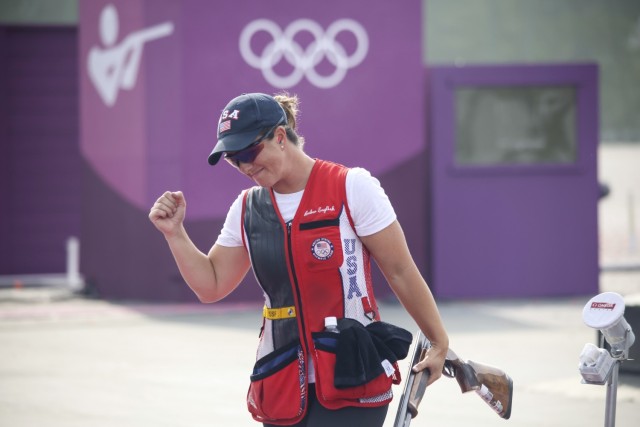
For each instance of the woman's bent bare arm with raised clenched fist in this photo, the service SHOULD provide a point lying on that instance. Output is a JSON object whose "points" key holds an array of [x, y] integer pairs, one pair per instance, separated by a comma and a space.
{"points": [[211, 276]]}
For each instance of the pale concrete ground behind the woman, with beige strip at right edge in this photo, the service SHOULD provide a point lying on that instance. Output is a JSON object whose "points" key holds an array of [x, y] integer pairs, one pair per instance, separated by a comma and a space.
{"points": [[70, 361]]}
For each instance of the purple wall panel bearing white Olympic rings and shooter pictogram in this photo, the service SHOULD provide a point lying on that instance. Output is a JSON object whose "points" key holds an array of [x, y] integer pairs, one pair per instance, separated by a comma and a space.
{"points": [[155, 131]]}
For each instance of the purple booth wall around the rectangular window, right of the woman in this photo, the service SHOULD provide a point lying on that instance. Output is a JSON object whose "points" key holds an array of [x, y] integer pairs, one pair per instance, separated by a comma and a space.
{"points": [[514, 230]]}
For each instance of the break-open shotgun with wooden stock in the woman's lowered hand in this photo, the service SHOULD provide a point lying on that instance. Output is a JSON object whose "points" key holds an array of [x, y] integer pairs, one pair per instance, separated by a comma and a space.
{"points": [[493, 385]]}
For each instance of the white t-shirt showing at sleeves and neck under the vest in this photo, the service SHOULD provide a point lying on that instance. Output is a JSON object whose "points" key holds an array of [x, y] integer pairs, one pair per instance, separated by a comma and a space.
{"points": [[370, 208]]}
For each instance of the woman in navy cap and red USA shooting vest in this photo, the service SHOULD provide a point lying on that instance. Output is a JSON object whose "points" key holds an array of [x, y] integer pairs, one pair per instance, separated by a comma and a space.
{"points": [[307, 230]]}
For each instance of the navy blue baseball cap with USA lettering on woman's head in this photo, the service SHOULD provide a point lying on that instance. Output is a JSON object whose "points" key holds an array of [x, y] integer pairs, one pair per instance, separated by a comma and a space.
{"points": [[243, 119]]}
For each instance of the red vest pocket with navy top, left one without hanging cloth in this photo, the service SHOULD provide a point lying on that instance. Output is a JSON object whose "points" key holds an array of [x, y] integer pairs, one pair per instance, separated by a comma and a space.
{"points": [[278, 385]]}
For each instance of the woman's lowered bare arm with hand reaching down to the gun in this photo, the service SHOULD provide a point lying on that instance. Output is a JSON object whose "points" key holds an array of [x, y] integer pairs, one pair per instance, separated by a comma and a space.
{"points": [[389, 248]]}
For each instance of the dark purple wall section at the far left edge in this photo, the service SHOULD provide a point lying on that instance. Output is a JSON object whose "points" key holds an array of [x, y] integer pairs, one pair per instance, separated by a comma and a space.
{"points": [[40, 162]]}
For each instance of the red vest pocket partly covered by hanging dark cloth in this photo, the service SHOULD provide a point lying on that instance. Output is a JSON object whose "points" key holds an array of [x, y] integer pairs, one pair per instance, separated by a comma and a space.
{"points": [[325, 344]]}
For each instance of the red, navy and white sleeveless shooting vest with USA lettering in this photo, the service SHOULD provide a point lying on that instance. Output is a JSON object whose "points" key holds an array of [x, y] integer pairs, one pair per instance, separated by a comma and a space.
{"points": [[315, 266]]}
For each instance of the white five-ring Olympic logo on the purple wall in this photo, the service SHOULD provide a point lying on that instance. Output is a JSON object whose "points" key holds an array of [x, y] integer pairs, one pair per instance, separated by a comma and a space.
{"points": [[304, 60]]}
